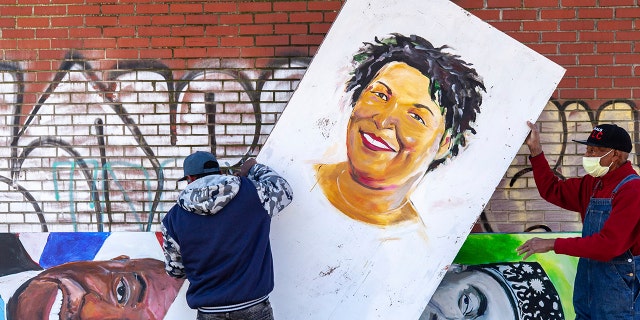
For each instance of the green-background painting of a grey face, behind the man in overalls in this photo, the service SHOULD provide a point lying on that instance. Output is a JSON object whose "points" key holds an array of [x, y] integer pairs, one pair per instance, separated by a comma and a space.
{"points": [[488, 280]]}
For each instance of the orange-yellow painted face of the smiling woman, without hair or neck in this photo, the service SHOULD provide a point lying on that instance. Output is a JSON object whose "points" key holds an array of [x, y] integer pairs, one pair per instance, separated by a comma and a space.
{"points": [[395, 128]]}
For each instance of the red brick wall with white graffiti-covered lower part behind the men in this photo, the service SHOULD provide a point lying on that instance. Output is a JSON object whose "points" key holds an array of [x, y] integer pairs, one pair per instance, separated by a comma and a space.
{"points": [[100, 101]]}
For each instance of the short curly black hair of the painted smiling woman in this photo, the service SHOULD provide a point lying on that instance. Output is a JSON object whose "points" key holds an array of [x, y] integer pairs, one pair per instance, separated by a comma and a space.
{"points": [[453, 83]]}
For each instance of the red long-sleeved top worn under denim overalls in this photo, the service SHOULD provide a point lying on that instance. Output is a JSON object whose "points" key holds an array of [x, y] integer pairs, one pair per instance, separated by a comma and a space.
{"points": [[620, 232]]}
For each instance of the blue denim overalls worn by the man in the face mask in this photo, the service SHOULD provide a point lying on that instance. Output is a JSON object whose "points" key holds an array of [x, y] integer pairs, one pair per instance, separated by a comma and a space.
{"points": [[606, 290]]}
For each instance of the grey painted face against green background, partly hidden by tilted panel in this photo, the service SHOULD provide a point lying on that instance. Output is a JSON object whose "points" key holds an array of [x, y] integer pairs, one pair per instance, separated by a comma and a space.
{"points": [[469, 295]]}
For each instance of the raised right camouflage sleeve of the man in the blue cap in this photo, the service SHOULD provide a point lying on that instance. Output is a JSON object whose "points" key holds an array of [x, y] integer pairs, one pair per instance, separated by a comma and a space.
{"points": [[274, 191]]}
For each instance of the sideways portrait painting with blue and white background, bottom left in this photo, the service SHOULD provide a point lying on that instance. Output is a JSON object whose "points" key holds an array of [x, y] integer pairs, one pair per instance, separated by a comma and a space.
{"points": [[87, 276]]}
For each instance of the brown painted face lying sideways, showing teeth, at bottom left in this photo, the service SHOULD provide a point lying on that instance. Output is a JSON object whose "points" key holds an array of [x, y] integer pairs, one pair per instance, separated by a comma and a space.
{"points": [[121, 288]]}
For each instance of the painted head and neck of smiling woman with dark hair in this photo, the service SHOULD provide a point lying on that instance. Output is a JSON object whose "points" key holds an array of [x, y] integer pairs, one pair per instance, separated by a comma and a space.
{"points": [[413, 107]]}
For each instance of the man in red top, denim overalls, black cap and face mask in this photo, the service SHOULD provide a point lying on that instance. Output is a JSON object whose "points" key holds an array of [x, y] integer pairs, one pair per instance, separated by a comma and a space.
{"points": [[608, 199]]}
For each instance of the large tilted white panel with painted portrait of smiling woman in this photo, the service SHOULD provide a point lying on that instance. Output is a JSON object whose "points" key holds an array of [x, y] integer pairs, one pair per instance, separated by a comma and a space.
{"points": [[395, 139]]}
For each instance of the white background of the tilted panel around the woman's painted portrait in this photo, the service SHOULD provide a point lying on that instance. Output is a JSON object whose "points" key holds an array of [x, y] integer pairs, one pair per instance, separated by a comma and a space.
{"points": [[331, 266]]}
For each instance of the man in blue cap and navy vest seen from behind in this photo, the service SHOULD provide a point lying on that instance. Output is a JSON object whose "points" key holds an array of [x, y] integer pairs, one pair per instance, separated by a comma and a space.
{"points": [[217, 236]]}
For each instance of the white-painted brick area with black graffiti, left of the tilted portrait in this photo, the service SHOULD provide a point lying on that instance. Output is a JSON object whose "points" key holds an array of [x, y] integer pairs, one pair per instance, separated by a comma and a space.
{"points": [[103, 152]]}
